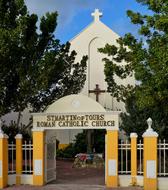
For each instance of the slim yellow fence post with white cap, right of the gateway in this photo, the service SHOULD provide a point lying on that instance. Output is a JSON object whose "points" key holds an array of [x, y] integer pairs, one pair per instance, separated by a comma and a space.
{"points": [[133, 158]]}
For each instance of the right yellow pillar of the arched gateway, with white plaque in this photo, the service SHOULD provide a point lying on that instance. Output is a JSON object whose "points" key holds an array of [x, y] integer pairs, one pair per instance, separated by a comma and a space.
{"points": [[112, 158]]}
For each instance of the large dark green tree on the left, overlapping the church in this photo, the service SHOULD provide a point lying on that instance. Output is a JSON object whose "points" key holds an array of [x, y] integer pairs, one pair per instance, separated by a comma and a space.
{"points": [[35, 69]]}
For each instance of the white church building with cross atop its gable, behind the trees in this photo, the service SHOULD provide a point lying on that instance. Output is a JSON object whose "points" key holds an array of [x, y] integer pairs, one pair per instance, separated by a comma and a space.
{"points": [[95, 35]]}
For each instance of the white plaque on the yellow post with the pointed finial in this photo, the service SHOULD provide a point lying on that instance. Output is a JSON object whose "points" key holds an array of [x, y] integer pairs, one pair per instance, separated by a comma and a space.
{"points": [[151, 169]]}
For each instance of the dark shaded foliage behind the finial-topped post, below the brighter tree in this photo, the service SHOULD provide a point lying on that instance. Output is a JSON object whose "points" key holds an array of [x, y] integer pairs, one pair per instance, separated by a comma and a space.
{"points": [[135, 118]]}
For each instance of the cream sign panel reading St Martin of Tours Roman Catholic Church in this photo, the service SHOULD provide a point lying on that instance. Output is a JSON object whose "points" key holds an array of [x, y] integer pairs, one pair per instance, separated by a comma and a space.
{"points": [[105, 120]]}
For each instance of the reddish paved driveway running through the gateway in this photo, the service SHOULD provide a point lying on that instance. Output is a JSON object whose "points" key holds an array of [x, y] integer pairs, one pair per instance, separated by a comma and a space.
{"points": [[69, 178]]}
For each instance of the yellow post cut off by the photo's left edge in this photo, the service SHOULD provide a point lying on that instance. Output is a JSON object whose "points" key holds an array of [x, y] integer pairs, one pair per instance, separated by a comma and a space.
{"points": [[3, 158]]}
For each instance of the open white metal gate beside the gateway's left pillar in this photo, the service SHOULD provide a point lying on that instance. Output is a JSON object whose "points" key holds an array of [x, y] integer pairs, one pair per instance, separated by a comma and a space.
{"points": [[50, 162]]}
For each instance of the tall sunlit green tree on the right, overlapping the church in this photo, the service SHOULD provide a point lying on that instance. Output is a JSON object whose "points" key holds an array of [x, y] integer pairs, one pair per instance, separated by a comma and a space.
{"points": [[147, 59]]}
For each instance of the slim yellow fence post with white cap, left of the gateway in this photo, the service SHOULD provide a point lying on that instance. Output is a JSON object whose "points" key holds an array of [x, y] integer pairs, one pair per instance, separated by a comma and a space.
{"points": [[19, 159]]}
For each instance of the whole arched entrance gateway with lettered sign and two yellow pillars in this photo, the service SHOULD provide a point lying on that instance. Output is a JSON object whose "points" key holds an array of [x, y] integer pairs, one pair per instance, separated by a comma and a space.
{"points": [[74, 112]]}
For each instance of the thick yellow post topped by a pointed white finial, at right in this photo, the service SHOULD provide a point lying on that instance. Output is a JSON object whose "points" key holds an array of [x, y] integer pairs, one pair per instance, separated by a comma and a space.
{"points": [[150, 158]]}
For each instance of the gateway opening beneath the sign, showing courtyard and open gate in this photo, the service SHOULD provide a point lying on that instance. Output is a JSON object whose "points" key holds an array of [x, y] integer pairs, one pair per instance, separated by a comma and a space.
{"points": [[73, 165]]}
